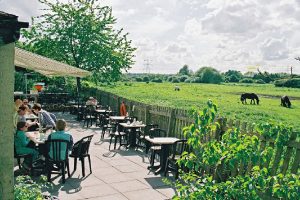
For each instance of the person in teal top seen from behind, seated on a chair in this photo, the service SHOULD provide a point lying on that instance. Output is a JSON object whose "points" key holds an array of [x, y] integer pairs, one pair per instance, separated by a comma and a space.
{"points": [[61, 134]]}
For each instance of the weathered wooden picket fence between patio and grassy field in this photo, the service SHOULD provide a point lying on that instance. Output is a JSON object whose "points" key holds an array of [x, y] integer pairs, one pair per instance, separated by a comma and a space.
{"points": [[284, 158]]}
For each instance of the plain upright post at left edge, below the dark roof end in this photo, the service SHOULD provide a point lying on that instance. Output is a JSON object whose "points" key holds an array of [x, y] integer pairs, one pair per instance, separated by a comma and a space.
{"points": [[7, 53]]}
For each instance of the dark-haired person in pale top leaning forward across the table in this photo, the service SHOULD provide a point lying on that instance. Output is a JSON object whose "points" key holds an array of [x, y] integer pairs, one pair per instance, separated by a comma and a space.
{"points": [[45, 118]]}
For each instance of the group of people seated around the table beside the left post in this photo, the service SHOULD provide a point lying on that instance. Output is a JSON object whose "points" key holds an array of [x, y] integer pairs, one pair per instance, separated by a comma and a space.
{"points": [[35, 119]]}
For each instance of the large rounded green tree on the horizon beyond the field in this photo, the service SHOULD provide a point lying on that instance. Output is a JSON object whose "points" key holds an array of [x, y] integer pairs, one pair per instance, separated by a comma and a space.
{"points": [[209, 75]]}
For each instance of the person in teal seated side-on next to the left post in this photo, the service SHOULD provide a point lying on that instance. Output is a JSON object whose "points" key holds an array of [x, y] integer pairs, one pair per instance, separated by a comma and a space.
{"points": [[24, 145]]}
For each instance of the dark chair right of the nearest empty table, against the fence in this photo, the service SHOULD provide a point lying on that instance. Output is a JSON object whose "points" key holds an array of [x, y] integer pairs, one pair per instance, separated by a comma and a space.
{"points": [[177, 149]]}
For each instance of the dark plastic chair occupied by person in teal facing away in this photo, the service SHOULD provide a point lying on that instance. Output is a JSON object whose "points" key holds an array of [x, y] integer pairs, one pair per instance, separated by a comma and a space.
{"points": [[57, 155]]}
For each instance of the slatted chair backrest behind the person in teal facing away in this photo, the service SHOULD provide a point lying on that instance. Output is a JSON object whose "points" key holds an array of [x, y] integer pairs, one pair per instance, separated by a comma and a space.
{"points": [[57, 149]]}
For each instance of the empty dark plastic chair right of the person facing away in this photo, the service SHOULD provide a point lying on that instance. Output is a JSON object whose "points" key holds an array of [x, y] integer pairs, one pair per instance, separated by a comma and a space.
{"points": [[80, 150]]}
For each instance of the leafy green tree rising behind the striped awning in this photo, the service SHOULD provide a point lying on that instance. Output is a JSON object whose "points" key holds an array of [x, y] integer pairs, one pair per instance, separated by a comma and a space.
{"points": [[81, 34]]}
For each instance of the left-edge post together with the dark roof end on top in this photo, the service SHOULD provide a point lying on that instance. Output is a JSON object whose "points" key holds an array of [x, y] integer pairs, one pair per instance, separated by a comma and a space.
{"points": [[9, 33]]}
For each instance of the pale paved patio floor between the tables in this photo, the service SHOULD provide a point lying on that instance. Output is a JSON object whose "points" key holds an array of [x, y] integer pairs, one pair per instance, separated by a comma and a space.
{"points": [[118, 175]]}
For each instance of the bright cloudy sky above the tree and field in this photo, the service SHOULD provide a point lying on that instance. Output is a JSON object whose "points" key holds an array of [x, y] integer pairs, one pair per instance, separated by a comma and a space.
{"points": [[225, 34]]}
